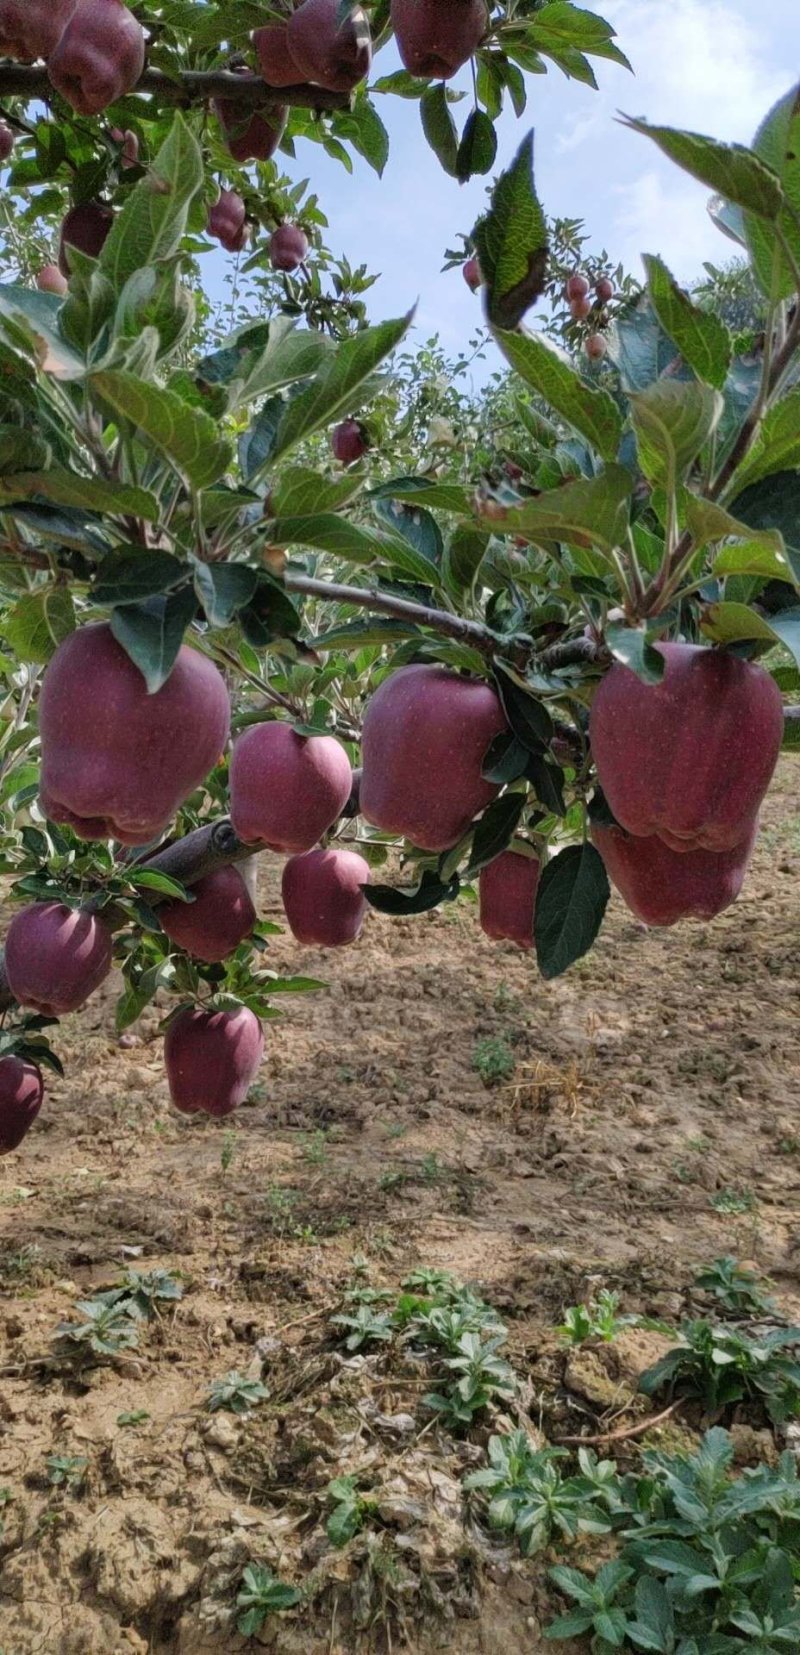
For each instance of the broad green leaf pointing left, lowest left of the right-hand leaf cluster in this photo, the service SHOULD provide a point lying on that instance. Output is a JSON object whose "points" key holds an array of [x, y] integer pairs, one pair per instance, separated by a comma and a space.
{"points": [[587, 511]]}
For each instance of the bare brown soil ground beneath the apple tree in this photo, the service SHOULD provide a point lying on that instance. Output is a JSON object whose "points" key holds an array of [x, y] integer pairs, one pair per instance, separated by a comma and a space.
{"points": [[652, 1125]]}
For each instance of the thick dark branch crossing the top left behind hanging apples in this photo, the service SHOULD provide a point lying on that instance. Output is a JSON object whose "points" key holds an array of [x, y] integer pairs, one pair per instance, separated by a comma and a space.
{"points": [[195, 87]]}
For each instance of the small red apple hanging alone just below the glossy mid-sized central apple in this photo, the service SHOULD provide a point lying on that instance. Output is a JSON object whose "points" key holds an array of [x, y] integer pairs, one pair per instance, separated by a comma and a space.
{"points": [[324, 896]]}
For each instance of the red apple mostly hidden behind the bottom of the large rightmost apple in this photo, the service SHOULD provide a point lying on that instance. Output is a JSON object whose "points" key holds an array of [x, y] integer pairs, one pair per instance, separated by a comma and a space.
{"points": [[665, 886]]}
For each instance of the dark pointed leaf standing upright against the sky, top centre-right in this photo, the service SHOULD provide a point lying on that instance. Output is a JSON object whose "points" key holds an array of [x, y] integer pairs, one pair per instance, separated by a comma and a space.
{"points": [[511, 242]]}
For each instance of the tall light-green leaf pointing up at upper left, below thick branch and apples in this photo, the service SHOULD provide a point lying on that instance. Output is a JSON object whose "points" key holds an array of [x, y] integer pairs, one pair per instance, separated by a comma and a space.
{"points": [[153, 223]]}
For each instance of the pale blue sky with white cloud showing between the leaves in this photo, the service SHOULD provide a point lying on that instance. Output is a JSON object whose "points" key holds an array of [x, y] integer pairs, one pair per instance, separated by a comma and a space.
{"points": [[708, 65]]}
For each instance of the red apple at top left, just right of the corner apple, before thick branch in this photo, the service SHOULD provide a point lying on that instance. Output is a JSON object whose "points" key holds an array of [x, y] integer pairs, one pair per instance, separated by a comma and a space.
{"points": [[100, 55]]}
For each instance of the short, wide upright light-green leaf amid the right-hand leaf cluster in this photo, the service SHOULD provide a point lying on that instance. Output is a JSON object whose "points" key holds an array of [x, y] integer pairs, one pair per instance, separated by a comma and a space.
{"points": [[673, 421]]}
